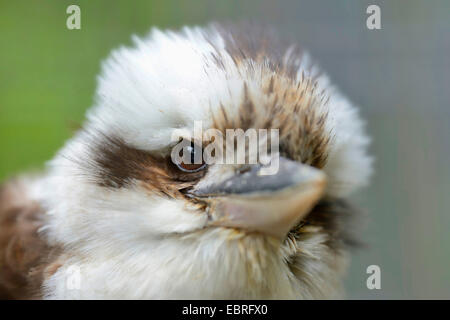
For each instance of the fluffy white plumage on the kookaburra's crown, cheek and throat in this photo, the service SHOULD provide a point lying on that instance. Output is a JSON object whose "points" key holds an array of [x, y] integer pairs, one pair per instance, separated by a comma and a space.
{"points": [[128, 244]]}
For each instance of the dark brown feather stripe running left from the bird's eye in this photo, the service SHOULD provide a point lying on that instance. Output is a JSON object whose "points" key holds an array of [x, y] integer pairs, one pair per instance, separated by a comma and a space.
{"points": [[112, 163]]}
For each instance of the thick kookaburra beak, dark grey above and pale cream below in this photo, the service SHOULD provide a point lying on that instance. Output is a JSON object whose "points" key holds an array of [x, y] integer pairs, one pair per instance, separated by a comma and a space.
{"points": [[270, 204]]}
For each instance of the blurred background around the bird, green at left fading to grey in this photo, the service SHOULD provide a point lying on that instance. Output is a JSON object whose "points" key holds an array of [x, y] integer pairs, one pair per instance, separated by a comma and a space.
{"points": [[399, 75]]}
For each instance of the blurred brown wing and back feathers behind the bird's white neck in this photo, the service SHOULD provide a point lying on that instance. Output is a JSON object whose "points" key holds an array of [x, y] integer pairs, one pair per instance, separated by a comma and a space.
{"points": [[24, 255]]}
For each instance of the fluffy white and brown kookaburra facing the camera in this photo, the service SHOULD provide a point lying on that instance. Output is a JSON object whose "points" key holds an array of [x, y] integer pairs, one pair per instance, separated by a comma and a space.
{"points": [[113, 217]]}
